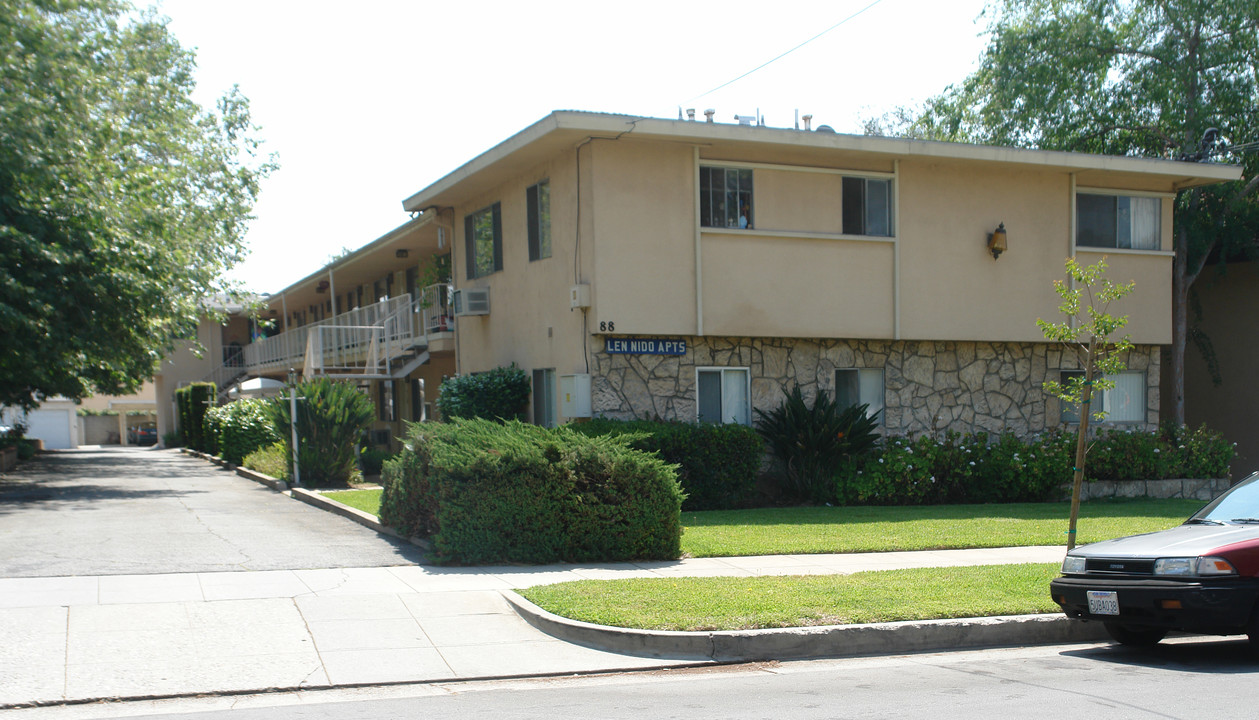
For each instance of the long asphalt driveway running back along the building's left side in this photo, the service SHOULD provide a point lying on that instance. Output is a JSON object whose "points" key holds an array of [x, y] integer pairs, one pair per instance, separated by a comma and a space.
{"points": [[121, 512]]}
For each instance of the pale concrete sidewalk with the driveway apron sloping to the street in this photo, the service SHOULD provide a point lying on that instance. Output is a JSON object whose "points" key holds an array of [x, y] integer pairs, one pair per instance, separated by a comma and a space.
{"points": [[79, 639]]}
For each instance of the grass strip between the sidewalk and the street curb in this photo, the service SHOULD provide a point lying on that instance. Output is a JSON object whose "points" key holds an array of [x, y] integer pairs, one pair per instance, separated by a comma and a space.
{"points": [[796, 601]]}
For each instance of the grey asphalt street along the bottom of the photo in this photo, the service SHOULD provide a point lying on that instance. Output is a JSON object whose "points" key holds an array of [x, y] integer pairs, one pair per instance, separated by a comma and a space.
{"points": [[1184, 679]]}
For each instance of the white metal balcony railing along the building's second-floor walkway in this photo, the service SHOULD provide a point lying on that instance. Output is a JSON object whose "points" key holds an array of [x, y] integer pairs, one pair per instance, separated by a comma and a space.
{"points": [[363, 340]]}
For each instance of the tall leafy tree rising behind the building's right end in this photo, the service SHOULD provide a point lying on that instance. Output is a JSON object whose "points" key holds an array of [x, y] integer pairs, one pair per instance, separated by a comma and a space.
{"points": [[1124, 77]]}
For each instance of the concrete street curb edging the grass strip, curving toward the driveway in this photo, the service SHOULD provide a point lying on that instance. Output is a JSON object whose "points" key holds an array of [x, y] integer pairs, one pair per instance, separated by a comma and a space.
{"points": [[814, 643]]}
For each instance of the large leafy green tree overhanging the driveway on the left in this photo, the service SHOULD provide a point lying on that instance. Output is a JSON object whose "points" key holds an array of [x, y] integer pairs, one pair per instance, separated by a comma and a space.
{"points": [[123, 201]]}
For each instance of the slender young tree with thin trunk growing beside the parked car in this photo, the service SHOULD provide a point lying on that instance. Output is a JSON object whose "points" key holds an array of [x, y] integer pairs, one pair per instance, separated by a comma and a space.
{"points": [[1087, 333]]}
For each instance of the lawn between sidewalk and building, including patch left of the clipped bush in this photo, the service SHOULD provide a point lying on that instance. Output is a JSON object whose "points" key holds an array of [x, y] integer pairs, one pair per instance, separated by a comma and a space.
{"points": [[809, 531]]}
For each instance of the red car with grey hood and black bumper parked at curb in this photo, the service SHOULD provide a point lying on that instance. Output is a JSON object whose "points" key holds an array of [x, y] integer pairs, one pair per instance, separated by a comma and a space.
{"points": [[1200, 577]]}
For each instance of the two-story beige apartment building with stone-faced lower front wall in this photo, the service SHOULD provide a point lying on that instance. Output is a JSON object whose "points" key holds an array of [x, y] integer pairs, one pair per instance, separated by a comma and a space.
{"points": [[692, 271]]}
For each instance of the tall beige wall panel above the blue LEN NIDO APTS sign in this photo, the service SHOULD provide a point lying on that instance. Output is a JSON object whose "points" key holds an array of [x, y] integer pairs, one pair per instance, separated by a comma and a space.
{"points": [[644, 239]]}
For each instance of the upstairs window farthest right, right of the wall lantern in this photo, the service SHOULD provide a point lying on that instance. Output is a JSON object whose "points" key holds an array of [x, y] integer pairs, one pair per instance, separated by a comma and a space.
{"points": [[1119, 222]]}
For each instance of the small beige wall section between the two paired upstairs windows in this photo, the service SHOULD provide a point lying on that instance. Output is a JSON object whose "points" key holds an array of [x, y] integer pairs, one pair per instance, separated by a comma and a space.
{"points": [[798, 202]]}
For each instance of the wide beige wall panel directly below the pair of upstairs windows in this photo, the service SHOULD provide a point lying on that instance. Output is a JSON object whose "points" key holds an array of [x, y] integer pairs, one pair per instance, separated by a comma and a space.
{"points": [[784, 288]]}
